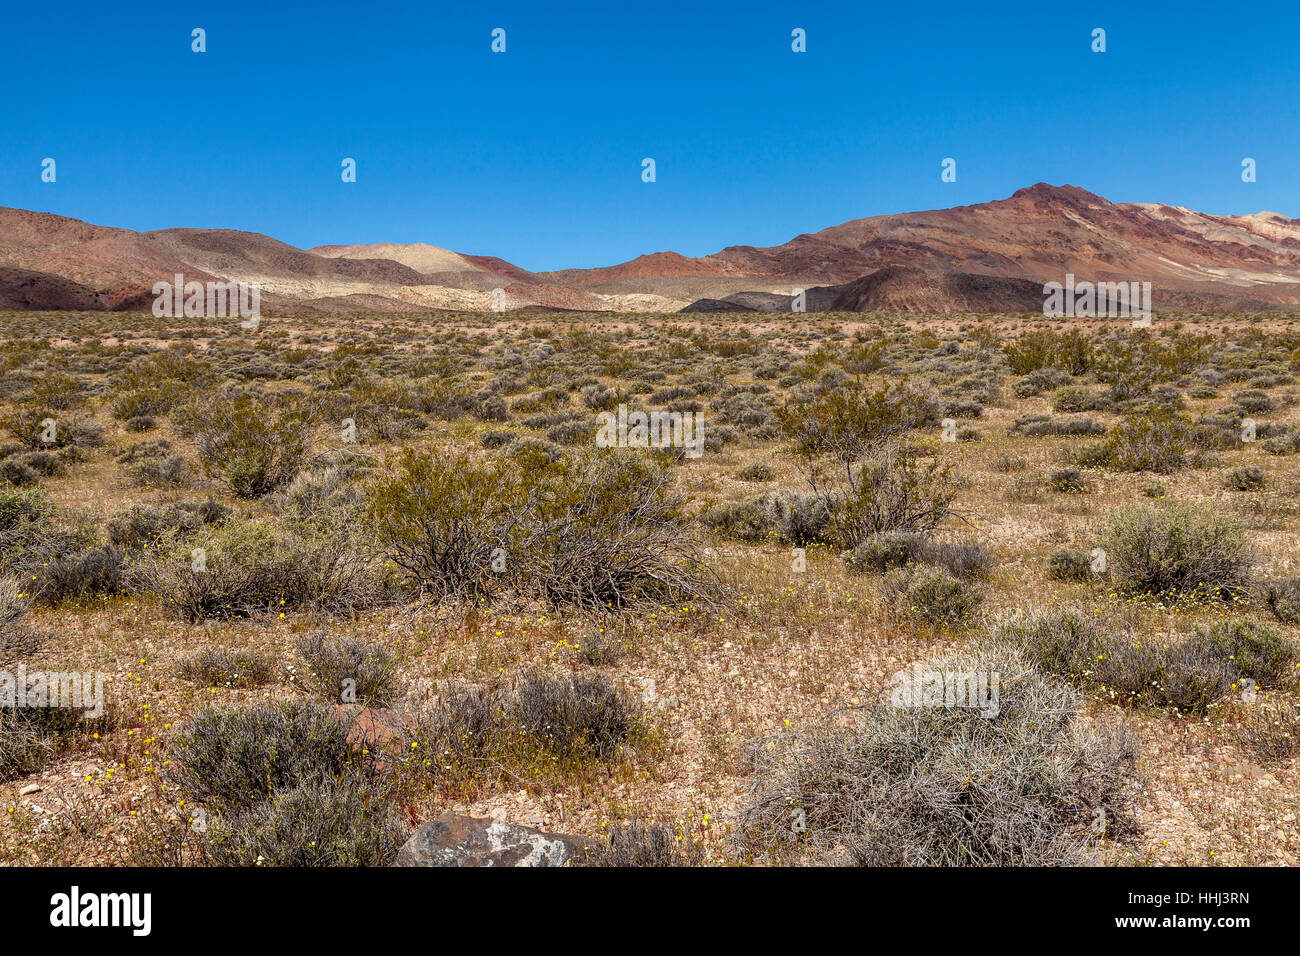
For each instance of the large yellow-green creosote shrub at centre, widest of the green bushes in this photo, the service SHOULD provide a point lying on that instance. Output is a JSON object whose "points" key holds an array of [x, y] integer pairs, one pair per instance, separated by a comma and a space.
{"points": [[597, 531]]}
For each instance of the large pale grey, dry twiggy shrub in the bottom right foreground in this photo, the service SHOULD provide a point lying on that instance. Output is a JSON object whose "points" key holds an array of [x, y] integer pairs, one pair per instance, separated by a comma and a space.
{"points": [[898, 789]]}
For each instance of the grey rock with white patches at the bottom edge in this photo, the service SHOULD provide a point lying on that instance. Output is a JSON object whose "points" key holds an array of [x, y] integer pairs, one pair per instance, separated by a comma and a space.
{"points": [[458, 841]]}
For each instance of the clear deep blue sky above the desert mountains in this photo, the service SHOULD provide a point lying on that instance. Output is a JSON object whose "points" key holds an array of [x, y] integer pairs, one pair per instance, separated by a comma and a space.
{"points": [[535, 155]]}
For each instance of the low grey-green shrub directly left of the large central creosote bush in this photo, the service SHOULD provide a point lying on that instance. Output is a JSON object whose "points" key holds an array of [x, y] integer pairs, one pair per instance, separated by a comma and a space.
{"points": [[250, 568]]}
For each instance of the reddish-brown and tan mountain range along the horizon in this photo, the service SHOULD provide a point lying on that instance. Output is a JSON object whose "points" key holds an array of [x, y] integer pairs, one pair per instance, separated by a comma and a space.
{"points": [[969, 258]]}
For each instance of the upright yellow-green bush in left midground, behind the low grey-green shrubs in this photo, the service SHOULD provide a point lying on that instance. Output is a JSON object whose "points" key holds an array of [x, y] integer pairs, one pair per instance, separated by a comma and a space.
{"points": [[255, 444]]}
